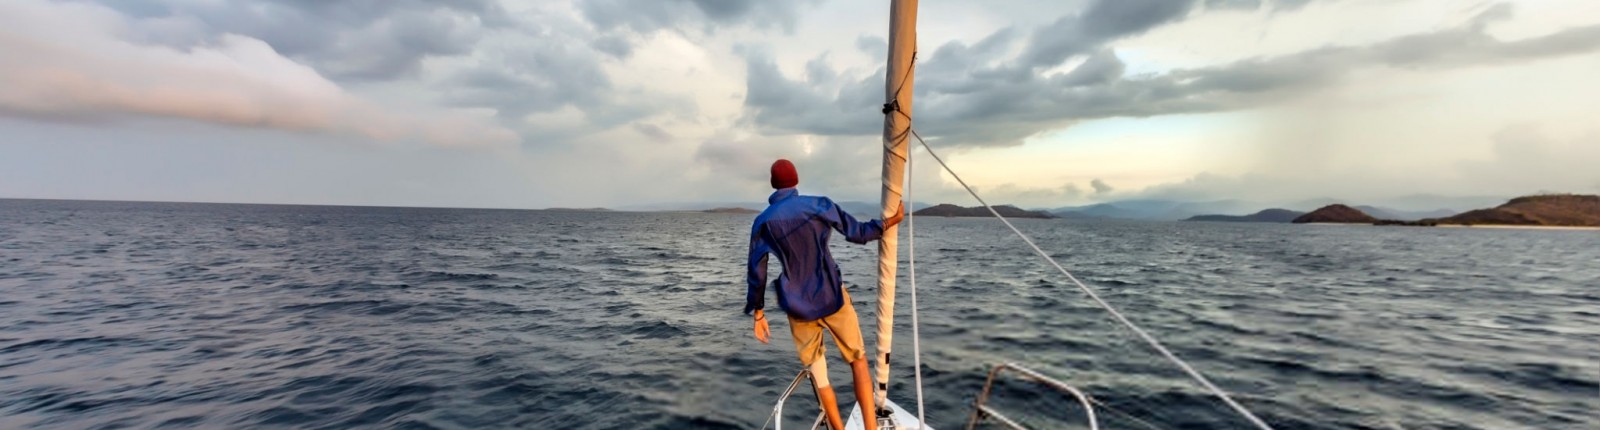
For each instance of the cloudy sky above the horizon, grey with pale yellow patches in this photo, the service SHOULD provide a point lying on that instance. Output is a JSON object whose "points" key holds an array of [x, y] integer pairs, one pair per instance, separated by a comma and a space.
{"points": [[631, 103]]}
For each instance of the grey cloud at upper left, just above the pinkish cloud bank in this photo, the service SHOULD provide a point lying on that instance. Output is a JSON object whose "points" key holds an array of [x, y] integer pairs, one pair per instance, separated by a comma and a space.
{"points": [[346, 41]]}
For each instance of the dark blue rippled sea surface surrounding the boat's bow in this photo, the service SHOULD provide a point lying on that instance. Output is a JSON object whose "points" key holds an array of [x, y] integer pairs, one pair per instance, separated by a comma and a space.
{"points": [[239, 316]]}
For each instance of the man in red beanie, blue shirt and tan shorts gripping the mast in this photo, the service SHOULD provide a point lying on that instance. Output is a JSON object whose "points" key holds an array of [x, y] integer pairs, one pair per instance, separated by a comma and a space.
{"points": [[810, 292]]}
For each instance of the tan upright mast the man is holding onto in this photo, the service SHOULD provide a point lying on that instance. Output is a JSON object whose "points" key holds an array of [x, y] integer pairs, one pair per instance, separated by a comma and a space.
{"points": [[897, 133]]}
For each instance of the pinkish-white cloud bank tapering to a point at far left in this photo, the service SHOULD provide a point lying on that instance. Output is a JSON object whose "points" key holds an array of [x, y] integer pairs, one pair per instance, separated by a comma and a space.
{"points": [[74, 62]]}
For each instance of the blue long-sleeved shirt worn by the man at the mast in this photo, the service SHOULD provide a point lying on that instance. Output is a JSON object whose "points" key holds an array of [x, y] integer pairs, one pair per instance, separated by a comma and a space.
{"points": [[796, 228]]}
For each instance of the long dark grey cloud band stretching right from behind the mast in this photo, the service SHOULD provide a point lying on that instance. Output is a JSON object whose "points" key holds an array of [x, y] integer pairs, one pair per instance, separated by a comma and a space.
{"points": [[975, 95]]}
